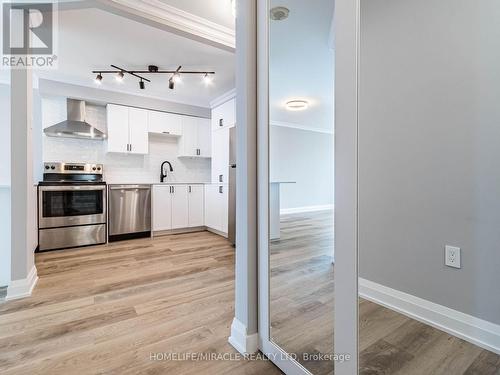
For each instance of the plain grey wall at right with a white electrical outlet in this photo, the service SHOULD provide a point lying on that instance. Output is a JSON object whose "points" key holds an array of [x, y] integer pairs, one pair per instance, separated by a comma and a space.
{"points": [[429, 149]]}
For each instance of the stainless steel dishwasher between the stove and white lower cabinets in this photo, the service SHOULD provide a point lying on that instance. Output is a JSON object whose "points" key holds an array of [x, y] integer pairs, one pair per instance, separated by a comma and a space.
{"points": [[129, 212]]}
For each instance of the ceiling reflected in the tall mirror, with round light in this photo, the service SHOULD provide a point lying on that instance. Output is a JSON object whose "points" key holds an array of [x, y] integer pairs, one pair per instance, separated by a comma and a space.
{"points": [[302, 63]]}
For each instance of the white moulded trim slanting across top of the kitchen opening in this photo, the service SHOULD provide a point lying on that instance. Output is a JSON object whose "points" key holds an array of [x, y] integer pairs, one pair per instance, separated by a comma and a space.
{"points": [[181, 20]]}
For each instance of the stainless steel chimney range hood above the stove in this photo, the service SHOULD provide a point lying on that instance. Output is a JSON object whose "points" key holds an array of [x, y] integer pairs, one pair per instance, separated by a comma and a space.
{"points": [[75, 126]]}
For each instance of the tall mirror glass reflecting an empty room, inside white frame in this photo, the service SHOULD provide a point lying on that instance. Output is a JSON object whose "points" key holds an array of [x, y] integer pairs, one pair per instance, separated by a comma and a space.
{"points": [[301, 181]]}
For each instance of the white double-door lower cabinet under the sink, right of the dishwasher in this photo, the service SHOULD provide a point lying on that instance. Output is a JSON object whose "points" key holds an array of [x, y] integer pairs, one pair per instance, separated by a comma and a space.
{"points": [[177, 207]]}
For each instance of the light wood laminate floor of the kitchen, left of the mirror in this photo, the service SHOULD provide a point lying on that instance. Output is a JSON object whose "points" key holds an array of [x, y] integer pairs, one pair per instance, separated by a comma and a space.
{"points": [[105, 309]]}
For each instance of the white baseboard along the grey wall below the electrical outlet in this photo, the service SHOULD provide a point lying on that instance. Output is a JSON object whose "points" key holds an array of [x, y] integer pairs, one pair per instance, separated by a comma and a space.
{"points": [[475, 330]]}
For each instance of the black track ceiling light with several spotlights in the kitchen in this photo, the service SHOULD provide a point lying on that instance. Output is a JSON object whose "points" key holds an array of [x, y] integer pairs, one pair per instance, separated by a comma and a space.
{"points": [[175, 75]]}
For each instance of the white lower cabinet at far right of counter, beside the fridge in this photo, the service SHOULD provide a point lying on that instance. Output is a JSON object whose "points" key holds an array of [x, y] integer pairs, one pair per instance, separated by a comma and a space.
{"points": [[216, 207]]}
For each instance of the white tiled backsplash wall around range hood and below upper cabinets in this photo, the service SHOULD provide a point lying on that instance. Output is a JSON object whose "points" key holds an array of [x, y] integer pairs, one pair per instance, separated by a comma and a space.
{"points": [[119, 168]]}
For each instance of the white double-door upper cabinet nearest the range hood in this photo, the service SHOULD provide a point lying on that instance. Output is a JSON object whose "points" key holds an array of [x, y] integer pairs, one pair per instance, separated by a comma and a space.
{"points": [[127, 129]]}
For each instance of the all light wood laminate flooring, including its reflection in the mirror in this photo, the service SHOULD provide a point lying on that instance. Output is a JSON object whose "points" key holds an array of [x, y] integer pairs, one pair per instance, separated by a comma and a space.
{"points": [[105, 309]]}
